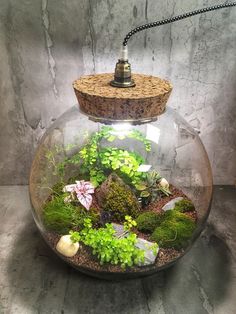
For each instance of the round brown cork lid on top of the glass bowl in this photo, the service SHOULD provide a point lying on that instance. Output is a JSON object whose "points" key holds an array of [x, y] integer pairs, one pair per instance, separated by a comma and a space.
{"points": [[98, 99]]}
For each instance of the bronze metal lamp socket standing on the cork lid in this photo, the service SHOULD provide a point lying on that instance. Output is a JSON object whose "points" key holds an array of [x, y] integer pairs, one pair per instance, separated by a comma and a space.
{"points": [[122, 77]]}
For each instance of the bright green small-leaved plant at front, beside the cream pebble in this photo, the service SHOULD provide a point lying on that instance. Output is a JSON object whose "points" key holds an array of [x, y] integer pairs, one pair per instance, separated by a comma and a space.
{"points": [[108, 248]]}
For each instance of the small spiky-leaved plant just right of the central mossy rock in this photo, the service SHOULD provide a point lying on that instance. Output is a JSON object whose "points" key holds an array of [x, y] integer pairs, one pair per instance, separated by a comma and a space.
{"points": [[150, 190]]}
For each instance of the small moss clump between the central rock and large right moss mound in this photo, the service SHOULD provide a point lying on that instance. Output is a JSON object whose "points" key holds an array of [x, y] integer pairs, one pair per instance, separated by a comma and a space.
{"points": [[148, 221]]}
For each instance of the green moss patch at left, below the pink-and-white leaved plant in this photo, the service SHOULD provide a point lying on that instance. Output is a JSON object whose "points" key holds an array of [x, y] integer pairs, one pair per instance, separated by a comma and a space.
{"points": [[62, 217]]}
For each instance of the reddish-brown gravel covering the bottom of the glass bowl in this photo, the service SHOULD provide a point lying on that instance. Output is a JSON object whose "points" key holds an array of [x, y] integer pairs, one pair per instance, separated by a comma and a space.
{"points": [[85, 262]]}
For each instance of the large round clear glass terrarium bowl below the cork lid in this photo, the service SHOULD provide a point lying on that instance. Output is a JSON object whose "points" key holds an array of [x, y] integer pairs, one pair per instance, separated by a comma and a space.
{"points": [[112, 187]]}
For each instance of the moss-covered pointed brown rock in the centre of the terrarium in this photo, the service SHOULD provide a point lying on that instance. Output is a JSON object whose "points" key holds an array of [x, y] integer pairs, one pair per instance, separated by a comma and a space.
{"points": [[120, 202]]}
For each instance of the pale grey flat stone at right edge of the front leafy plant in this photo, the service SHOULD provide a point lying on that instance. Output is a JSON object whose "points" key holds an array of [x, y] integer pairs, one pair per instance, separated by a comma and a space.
{"points": [[150, 253]]}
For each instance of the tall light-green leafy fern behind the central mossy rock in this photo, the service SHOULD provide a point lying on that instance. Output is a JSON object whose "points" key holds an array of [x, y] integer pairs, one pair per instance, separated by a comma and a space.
{"points": [[98, 163]]}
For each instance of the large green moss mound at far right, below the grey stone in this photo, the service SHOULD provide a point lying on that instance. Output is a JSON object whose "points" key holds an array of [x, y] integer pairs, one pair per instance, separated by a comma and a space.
{"points": [[175, 230]]}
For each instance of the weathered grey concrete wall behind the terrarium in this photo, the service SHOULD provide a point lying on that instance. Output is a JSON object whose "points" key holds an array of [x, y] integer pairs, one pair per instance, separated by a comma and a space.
{"points": [[45, 45]]}
